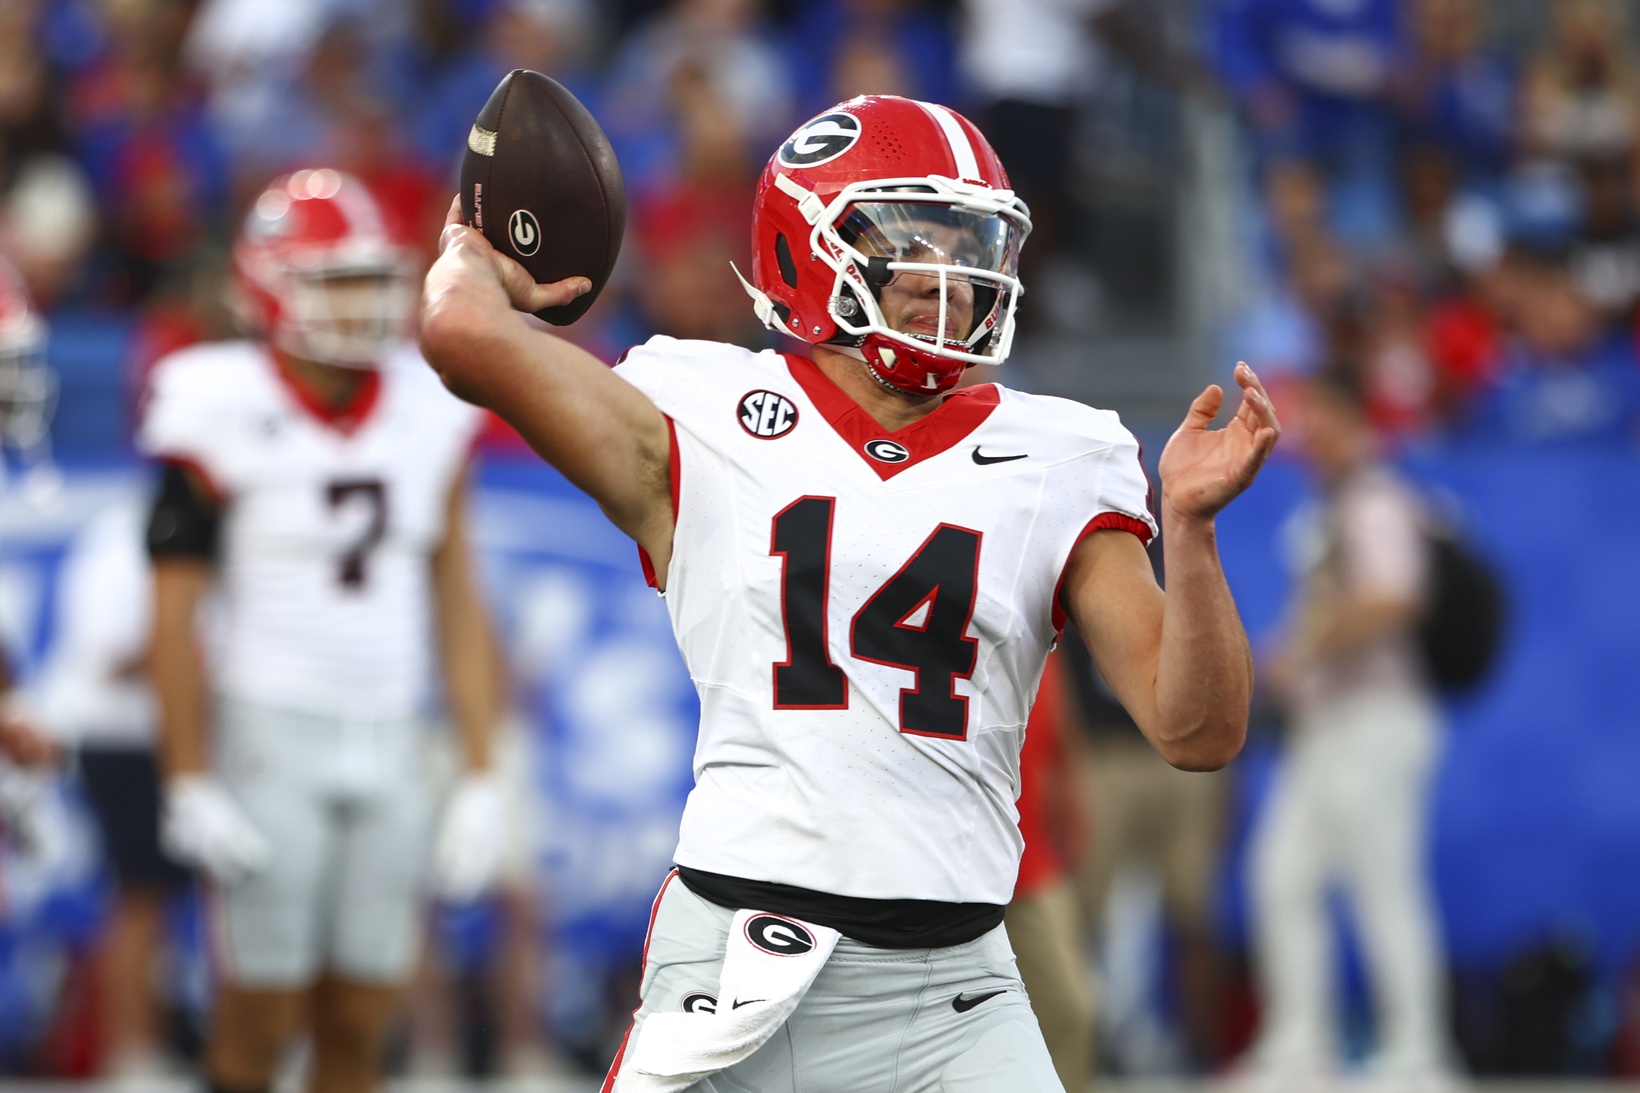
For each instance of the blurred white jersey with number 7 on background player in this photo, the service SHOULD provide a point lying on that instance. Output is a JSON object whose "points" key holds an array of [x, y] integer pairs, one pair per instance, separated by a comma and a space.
{"points": [[329, 524]]}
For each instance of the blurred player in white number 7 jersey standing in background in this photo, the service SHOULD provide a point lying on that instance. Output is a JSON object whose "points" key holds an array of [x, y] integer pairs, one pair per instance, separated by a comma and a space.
{"points": [[316, 480]]}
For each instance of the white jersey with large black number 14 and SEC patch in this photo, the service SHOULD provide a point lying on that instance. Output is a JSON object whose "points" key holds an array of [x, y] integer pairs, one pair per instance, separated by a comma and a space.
{"points": [[867, 615]]}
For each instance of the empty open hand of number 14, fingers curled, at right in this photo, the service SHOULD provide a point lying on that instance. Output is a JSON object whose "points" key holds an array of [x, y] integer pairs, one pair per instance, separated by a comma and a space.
{"points": [[1205, 469]]}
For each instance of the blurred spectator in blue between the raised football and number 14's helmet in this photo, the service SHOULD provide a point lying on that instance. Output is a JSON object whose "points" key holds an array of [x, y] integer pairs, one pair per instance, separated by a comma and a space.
{"points": [[695, 52]]}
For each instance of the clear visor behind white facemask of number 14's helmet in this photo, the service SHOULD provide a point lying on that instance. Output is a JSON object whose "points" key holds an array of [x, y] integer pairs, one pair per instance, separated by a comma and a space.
{"points": [[939, 272]]}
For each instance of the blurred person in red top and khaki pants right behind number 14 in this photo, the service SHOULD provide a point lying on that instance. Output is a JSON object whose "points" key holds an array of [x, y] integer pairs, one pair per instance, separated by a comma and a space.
{"points": [[1044, 922]]}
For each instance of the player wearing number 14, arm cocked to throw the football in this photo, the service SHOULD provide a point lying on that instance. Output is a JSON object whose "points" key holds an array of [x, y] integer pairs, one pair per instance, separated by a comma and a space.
{"points": [[865, 572]]}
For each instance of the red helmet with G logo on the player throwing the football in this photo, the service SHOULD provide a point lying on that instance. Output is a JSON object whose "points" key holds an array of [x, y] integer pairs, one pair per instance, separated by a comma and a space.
{"points": [[883, 191]]}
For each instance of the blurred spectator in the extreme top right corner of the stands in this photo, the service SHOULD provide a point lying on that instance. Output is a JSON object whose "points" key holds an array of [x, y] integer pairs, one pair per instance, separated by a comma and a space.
{"points": [[1580, 98]]}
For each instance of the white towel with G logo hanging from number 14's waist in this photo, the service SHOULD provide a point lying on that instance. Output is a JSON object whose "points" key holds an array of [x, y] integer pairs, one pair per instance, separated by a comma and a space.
{"points": [[768, 966]]}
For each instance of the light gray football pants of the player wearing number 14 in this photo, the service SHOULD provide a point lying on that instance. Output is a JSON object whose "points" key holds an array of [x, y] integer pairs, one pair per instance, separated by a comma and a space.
{"points": [[873, 1022]]}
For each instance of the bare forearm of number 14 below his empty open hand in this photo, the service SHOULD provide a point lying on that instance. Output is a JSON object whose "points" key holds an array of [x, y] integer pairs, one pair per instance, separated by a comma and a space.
{"points": [[1205, 674]]}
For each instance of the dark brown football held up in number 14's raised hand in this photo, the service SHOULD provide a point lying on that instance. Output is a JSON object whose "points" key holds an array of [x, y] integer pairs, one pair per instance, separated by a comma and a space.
{"points": [[539, 178]]}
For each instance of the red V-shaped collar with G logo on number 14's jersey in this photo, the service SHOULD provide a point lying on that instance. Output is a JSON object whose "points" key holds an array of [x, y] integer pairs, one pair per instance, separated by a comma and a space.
{"points": [[952, 423]]}
